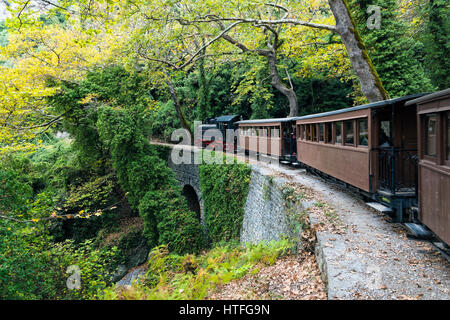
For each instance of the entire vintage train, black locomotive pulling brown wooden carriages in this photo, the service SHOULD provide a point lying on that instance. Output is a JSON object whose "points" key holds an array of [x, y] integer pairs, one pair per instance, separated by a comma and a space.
{"points": [[395, 153]]}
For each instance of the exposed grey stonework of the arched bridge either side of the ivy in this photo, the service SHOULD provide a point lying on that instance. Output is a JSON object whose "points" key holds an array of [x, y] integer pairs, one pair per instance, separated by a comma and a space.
{"points": [[265, 216]]}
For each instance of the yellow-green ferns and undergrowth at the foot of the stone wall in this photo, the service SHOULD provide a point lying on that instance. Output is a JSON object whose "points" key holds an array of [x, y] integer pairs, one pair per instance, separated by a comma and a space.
{"points": [[190, 277]]}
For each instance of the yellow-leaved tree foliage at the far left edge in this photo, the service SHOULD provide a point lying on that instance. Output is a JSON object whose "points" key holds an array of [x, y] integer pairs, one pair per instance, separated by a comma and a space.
{"points": [[37, 52]]}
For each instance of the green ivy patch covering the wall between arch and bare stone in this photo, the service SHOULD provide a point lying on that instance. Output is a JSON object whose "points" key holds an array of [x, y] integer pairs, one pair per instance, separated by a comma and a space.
{"points": [[224, 189]]}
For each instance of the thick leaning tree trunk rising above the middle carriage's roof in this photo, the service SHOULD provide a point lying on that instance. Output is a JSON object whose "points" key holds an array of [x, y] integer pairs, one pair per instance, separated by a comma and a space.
{"points": [[371, 84]]}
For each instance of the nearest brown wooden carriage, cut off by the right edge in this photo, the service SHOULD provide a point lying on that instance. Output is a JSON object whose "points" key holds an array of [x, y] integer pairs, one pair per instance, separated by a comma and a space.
{"points": [[433, 120]]}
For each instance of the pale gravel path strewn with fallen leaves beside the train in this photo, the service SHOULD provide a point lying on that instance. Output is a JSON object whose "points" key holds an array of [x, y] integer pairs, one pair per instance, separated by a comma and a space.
{"points": [[372, 258]]}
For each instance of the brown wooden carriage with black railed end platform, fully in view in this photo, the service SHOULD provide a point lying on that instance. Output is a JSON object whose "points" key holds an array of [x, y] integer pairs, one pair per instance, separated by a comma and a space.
{"points": [[372, 147]]}
